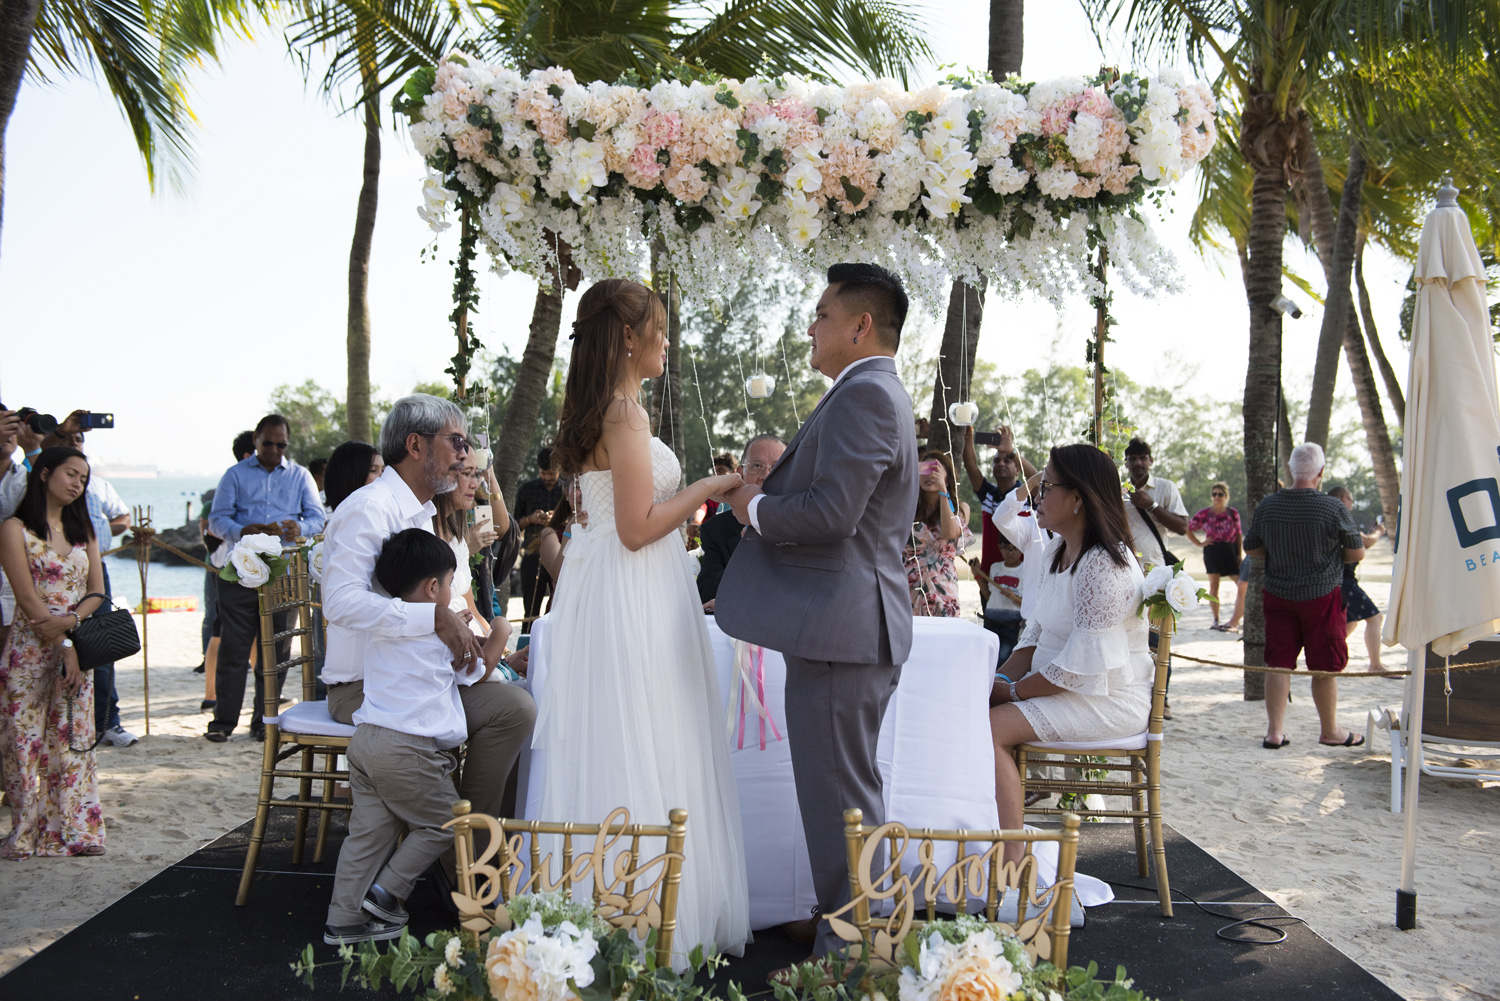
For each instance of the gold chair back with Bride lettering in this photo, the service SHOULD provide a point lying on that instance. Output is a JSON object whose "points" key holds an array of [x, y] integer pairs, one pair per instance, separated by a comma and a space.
{"points": [[626, 894]]}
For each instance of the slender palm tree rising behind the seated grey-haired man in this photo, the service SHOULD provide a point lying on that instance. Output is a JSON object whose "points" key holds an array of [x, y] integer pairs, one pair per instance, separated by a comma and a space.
{"points": [[370, 46]]}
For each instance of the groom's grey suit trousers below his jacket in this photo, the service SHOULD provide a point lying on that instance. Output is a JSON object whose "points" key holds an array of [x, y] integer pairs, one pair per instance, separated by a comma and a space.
{"points": [[833, 723]]}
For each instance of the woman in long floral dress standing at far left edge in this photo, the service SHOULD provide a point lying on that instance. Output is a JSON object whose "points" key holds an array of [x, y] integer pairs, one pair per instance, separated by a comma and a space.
{"points": [[46, 702]]}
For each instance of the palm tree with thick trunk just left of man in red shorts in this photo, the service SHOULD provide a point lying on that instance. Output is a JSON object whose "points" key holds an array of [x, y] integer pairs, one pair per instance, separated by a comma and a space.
{"points": [[1276, 56]]}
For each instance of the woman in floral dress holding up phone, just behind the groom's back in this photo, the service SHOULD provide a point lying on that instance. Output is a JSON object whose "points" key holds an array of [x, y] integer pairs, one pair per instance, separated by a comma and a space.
{"points": [[940, 537]]}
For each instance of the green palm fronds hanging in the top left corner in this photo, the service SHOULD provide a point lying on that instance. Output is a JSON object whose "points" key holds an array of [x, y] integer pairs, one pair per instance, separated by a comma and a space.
{"points": [[143, 52]]}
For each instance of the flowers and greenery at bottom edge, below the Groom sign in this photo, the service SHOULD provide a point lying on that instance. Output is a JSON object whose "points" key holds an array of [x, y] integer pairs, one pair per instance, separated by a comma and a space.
{"points": [[962, 960]]}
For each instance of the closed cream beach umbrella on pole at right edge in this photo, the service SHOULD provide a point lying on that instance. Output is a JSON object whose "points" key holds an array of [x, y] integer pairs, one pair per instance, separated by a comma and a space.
{"points": [[1445, 580]]}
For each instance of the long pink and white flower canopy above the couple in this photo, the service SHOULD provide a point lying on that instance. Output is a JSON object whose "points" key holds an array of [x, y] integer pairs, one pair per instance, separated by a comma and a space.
{"points": [[1010, 182]]}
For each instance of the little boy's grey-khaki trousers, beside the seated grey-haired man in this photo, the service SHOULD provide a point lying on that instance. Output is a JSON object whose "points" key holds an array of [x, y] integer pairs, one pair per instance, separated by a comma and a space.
{"points": [[397, 781]]}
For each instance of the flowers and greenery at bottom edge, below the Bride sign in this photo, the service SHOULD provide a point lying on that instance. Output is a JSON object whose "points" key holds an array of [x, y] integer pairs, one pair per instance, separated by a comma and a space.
{"points": [[542, 948]]}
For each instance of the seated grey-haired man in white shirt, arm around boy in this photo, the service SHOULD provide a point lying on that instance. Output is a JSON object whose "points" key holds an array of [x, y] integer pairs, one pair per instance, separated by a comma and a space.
{"points": [[424, 443]]}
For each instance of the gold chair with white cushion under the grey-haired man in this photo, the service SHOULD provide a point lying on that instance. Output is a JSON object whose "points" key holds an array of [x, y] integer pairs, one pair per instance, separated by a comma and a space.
{"points": [[298, 736]]}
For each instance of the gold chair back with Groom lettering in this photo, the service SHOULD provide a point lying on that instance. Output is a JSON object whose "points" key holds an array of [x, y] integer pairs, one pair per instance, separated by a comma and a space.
{"points": [[1043, 918]]}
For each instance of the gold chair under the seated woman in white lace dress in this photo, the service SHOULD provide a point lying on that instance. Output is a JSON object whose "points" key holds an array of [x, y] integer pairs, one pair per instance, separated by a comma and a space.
{"points": [[1138, 757]]}
